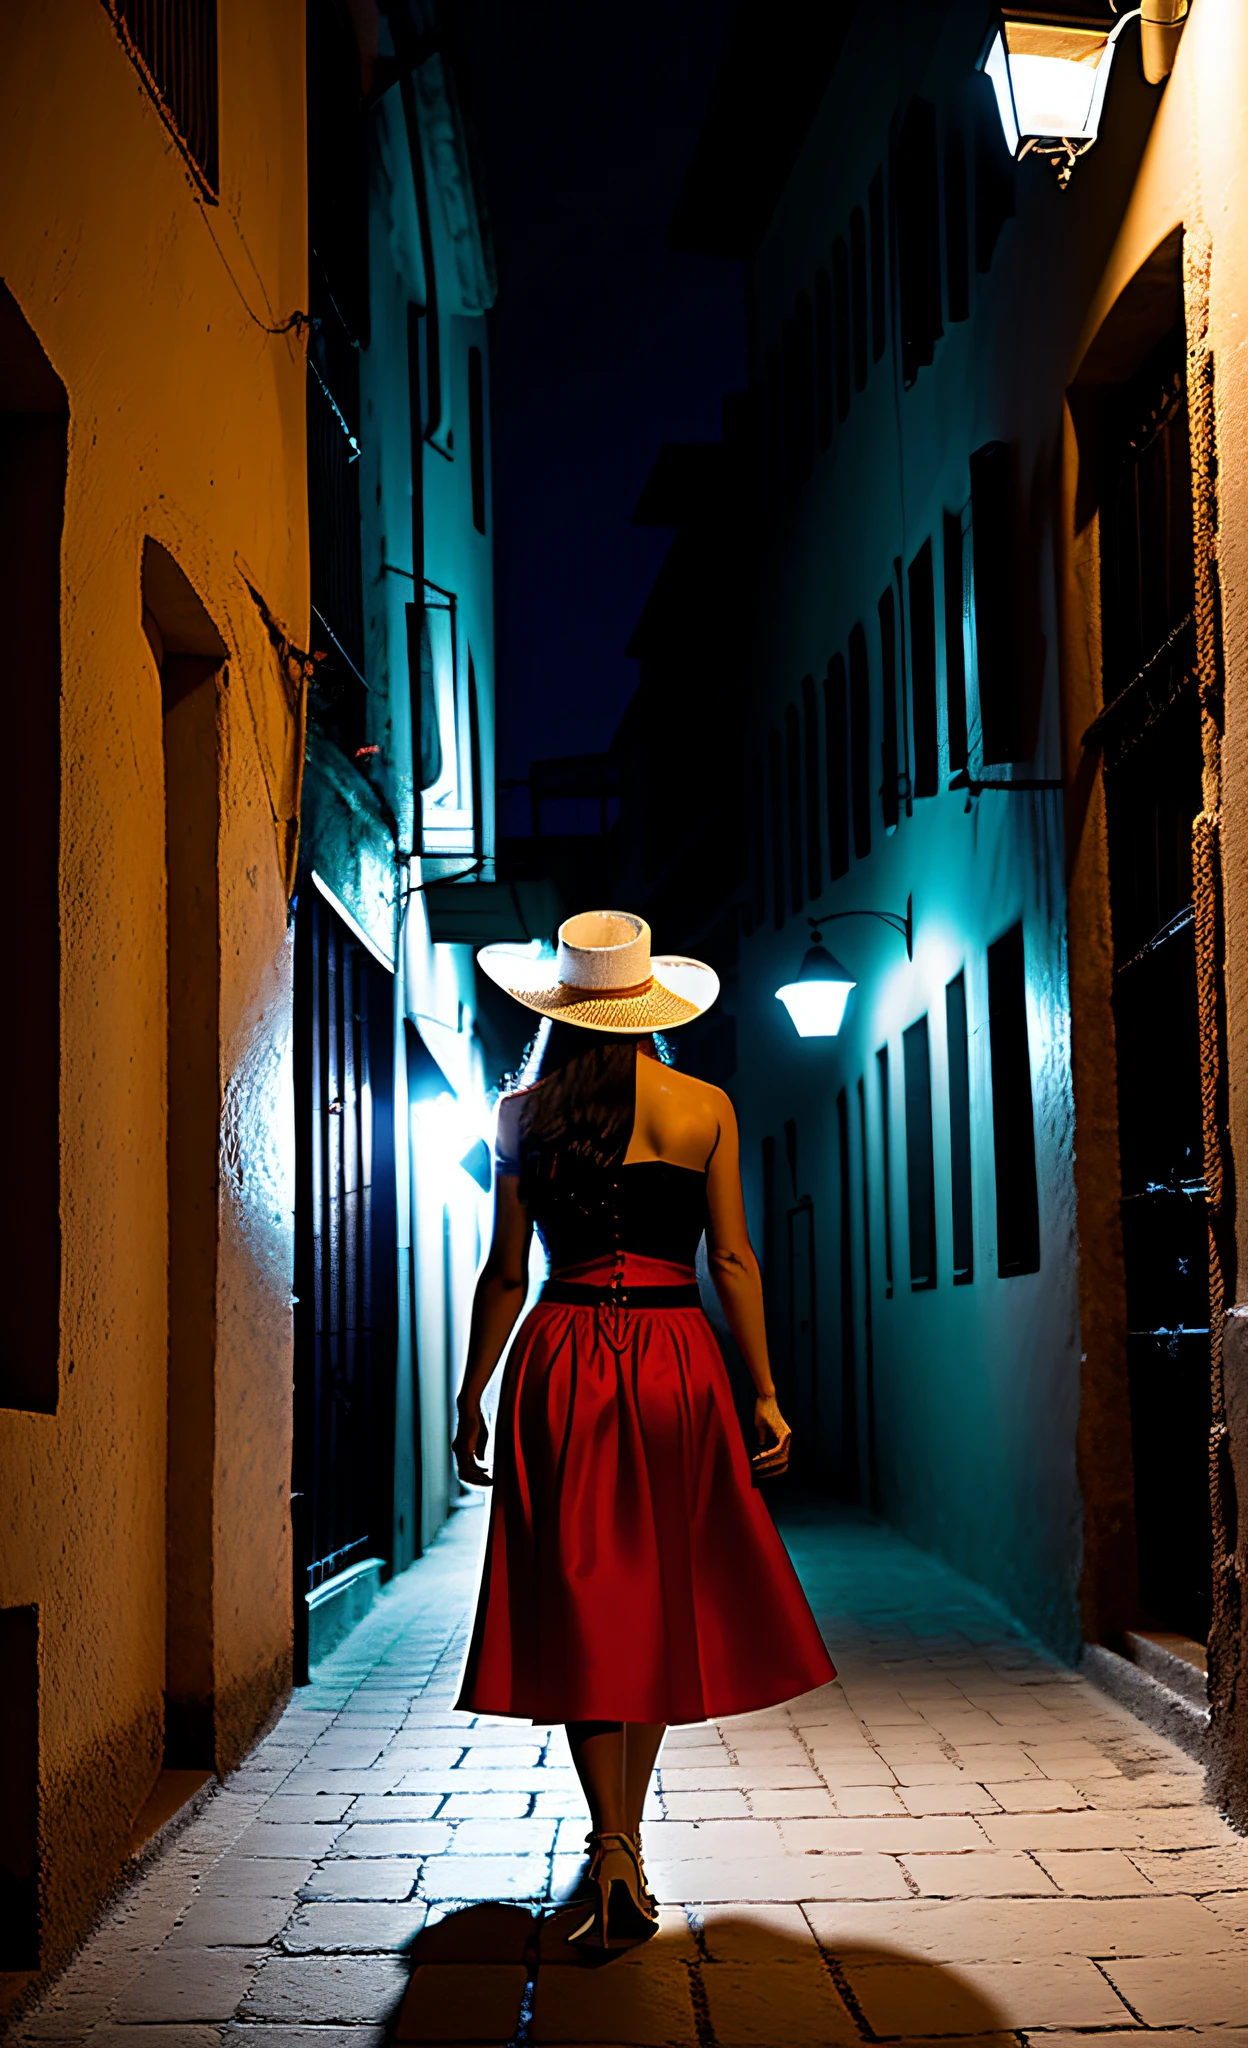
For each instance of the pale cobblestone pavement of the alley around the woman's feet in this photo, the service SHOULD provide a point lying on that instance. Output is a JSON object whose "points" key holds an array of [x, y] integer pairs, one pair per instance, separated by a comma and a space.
{"points": [[962, 1840]]}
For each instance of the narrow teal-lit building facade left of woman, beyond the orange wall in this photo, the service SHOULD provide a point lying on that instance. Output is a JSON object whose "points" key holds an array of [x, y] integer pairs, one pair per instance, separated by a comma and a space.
{"points": [[397, 849]]}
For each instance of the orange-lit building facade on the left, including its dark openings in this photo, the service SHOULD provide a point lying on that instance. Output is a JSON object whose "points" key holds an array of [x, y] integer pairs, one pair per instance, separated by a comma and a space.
{"points": [[153, 359]]}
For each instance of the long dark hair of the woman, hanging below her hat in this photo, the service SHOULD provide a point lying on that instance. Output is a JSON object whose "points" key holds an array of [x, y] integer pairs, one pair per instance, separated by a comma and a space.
{"points": [[585, 1101]]}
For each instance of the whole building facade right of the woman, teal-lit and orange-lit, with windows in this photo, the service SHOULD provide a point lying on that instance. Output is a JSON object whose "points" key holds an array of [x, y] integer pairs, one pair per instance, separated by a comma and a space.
{"points": [[995, 695]]}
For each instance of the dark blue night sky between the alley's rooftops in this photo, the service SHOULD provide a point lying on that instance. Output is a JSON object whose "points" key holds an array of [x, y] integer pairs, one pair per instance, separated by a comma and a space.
{"points": [[604, 343]]}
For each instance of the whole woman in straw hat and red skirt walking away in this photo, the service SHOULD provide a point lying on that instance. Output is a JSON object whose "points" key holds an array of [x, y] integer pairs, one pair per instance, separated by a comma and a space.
{"points": [[634, 1576]]}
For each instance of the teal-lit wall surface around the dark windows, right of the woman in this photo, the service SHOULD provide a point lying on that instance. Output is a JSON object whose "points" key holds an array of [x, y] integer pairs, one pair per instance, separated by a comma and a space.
{"points": [[970, 1426]]}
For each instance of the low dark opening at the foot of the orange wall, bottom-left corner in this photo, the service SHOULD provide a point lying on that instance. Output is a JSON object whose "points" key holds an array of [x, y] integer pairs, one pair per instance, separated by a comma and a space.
{"points": [[19, 1789]]}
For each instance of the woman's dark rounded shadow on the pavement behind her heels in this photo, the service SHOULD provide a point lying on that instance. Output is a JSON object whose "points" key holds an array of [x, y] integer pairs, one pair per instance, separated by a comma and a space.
{"points": [[503, 1977]]}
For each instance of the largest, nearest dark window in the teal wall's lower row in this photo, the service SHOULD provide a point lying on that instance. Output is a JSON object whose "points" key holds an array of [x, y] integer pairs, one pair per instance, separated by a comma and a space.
{"points": [[1013, 1125]]}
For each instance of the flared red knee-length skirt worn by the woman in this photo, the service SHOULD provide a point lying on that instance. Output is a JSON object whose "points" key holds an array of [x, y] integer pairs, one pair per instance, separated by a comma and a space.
{"points": [[632, 1568]]}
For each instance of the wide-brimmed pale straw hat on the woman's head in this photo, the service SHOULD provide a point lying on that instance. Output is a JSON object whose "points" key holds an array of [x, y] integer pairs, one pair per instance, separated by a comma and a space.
{"points": [[606, 978]]}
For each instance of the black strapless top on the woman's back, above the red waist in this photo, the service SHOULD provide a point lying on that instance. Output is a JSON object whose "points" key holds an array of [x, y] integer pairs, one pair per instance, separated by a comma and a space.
{"points": [[655, 1209]]}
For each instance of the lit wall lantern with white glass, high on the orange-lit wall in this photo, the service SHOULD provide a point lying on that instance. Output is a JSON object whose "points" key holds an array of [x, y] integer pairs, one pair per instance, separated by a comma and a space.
{"points": [[1050, 75]]}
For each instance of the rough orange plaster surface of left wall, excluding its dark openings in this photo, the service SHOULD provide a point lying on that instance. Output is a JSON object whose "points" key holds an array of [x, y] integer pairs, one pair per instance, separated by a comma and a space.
{"points": [[185, 425]]}
